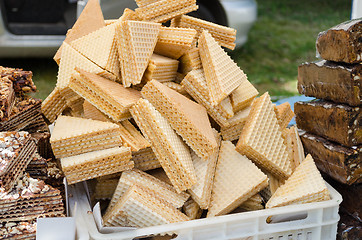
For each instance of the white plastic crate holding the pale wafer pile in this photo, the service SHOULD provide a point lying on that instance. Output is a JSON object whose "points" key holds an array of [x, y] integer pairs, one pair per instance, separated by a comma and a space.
{"points": [[309, 221]]}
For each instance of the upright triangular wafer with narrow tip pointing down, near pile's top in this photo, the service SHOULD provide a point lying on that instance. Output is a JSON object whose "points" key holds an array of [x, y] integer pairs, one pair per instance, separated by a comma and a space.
{"points": [[136, 42]]}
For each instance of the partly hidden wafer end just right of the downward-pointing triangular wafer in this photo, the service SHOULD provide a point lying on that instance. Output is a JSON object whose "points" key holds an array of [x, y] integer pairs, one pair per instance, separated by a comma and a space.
{"points": [[160, 68]]}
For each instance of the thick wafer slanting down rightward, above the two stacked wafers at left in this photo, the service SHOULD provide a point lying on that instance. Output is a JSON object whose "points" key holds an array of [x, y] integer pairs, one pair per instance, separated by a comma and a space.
{"points": [[111, 98]]}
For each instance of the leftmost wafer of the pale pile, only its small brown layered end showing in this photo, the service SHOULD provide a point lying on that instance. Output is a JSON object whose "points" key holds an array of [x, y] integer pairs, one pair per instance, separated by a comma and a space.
{"points": [[53, 105]]}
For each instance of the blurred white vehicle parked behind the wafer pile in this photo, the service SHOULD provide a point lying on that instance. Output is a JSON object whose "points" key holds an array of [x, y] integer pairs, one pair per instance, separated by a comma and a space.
{"points": [[36, 28]]}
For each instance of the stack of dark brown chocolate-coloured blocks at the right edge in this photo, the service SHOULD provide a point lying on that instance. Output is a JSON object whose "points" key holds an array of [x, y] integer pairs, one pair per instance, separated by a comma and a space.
{"points": [[333, 122]]}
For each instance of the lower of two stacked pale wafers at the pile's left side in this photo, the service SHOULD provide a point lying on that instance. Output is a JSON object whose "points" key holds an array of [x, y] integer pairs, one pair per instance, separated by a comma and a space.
{"points": [[95, 164]]}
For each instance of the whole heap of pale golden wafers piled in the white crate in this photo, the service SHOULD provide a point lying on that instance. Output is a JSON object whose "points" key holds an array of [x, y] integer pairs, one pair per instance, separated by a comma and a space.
{"points": [[149, 116]]}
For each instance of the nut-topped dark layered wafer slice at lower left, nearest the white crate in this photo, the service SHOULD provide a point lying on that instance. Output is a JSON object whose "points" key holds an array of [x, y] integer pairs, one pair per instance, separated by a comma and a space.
{"points": [[30, 199]]}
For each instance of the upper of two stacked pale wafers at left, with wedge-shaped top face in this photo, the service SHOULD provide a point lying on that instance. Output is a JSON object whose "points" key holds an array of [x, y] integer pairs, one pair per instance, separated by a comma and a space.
{"points": [[73, 136]]}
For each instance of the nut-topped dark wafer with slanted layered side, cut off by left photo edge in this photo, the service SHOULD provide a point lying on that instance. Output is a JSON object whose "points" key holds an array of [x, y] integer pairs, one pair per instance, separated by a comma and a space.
{"points": [[17, 150]]}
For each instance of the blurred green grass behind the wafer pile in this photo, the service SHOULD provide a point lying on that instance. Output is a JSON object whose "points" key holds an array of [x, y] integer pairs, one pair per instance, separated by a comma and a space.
{"points": [[282, 38]]}
